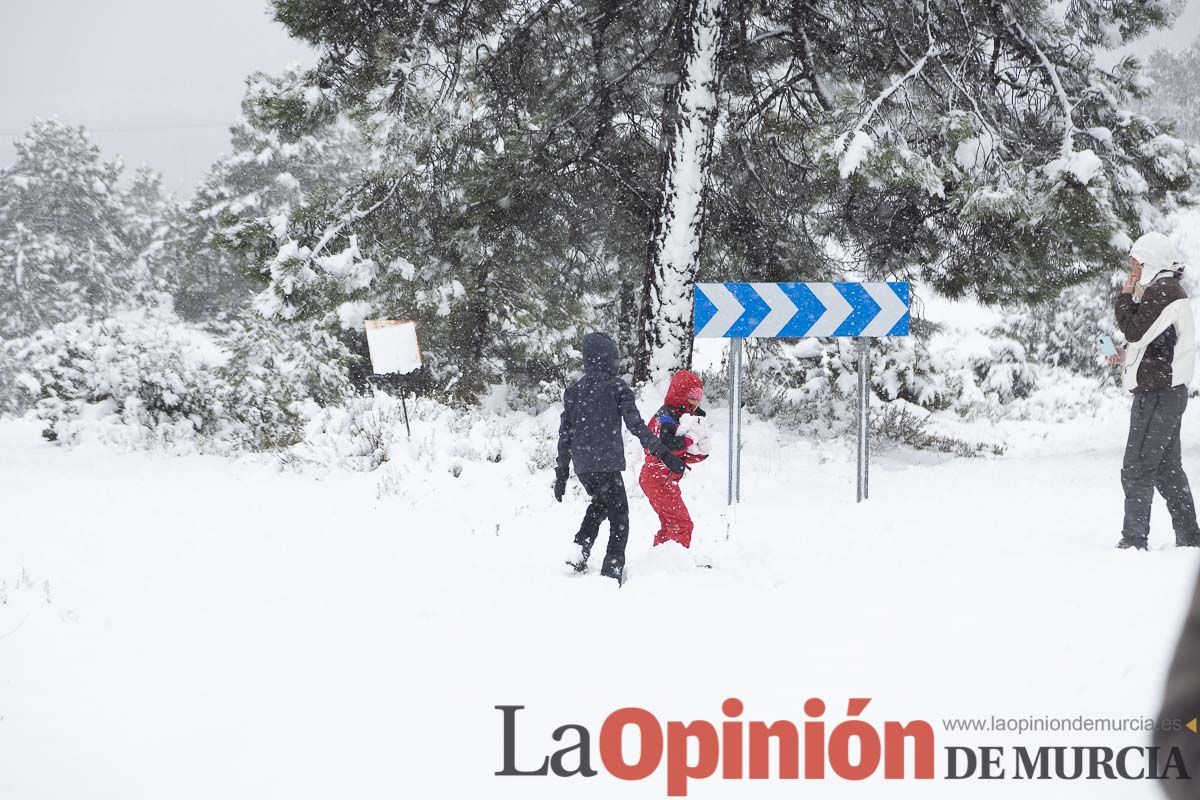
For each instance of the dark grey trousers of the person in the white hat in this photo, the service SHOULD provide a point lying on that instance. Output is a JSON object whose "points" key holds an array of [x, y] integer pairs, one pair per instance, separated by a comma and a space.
{"points": [[1153, 461]]}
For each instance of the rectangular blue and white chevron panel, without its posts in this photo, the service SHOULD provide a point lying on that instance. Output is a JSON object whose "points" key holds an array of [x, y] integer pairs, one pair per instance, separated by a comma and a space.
{"points": [[801, 310]]}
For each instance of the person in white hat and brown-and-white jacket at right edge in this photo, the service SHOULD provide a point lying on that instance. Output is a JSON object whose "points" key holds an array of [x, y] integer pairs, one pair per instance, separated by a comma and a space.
{"points": [[1157, 368]]}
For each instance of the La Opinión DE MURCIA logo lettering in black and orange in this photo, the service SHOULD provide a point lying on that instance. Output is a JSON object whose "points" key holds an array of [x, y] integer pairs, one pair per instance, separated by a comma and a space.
{"points": [[851, 750]]}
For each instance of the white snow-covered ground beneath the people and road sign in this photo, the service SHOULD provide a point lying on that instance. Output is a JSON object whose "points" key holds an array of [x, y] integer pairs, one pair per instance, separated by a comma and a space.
{"points": [[182, 628]]}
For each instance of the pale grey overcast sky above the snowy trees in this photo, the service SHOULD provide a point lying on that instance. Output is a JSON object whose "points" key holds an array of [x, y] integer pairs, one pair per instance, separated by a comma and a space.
{"points": [[160, 81]]}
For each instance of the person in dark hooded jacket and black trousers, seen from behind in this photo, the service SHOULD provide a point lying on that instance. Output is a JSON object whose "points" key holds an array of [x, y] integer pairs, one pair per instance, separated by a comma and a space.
{"points": [[590, 437]]}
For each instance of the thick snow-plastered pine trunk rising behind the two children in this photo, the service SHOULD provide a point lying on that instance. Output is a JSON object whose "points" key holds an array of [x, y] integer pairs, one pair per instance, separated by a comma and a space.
{"points": [[691, 111]]}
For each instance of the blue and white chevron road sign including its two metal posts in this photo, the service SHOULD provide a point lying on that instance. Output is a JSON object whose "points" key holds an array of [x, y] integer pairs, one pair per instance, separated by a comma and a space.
{"points": [[740, 311]]}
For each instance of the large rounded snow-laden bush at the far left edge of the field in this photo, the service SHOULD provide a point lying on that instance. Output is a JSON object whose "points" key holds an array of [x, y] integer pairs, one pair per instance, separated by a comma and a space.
{"points": [[137, 372]]}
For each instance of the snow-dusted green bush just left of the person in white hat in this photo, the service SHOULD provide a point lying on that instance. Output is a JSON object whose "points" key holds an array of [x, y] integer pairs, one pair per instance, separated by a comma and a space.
{"points": [[1063, 334]]}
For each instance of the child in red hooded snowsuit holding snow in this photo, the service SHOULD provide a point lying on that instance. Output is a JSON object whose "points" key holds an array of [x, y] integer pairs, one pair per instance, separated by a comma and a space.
{"points": [[661, 485]]}
